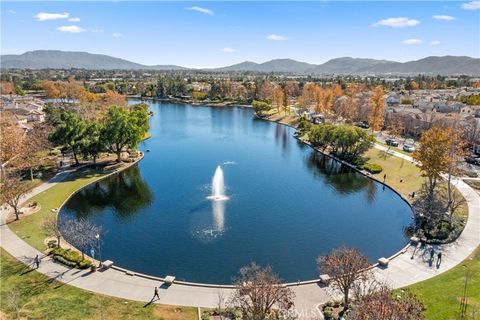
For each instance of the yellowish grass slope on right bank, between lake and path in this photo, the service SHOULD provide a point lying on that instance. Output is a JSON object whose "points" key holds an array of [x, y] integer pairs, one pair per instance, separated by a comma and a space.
{"points": [[396, 169]]}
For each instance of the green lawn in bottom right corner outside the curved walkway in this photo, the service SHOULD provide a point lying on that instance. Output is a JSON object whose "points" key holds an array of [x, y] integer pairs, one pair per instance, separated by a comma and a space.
{"points": [[441, 295]]}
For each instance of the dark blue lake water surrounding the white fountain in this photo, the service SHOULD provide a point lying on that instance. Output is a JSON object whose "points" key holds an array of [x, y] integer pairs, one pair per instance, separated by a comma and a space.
{"points": [[287, 204]]}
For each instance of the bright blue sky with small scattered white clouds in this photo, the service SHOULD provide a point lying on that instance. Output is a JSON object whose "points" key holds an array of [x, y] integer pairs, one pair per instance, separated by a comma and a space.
{"points": [[210, 34]]}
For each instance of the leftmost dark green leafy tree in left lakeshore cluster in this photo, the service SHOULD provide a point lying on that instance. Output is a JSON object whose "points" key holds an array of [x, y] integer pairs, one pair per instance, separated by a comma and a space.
{"points": [[70, 132]]}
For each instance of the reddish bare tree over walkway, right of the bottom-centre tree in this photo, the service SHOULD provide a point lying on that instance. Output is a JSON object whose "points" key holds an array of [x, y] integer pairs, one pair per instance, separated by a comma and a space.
{"points": [[346, 267]]}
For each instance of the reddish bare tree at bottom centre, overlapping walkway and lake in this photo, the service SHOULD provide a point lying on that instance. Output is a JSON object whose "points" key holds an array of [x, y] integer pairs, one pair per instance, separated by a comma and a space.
{"points": [[259, 292]]}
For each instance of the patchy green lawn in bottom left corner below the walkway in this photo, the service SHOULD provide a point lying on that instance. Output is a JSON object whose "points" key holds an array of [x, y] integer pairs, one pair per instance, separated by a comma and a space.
{"points": [[38, 297]]}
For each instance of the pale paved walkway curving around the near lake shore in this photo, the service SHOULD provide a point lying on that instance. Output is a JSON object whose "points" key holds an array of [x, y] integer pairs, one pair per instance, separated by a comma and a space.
{"points": [[402, 270]]}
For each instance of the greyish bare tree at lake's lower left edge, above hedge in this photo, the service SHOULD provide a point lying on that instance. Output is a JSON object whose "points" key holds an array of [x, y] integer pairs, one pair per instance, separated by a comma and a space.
{"points": [[80, 233]]}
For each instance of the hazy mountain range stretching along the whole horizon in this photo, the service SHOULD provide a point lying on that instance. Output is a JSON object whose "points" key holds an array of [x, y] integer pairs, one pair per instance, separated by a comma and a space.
{"points": [[444, 65]]}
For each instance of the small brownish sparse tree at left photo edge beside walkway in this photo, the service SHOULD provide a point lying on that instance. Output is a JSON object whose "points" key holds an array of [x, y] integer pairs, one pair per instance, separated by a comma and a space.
{"points": [[13, 189]]}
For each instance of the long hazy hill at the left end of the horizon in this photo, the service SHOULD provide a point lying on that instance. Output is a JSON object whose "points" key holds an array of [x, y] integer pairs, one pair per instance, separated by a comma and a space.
{"points": [[55, 59]]}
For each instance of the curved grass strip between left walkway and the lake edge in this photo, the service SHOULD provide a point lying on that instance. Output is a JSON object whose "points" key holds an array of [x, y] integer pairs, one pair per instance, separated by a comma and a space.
{"points": [[29, 228]]}
